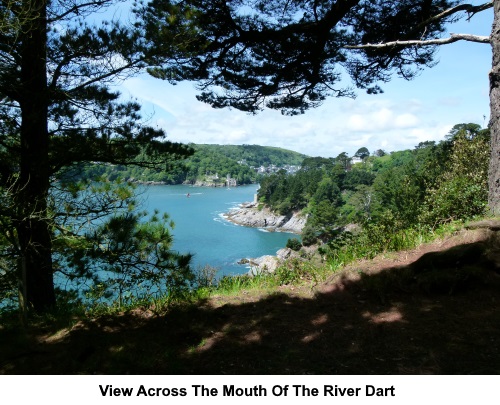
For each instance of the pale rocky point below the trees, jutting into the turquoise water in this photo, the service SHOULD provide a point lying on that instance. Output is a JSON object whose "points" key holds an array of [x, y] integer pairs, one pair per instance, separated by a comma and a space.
{"points": [[250, 215]]}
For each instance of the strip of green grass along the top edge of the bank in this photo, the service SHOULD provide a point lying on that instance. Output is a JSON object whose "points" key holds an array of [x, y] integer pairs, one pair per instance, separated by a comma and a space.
{"points": [[292, 272]]}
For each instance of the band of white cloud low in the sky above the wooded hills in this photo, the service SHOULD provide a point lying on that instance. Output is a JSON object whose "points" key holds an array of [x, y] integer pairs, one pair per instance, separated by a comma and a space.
{"points": [[398, 119]]}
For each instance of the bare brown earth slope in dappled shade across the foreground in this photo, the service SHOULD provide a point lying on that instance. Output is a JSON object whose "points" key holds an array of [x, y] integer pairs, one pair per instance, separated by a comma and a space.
{"points": [[414, 312]]}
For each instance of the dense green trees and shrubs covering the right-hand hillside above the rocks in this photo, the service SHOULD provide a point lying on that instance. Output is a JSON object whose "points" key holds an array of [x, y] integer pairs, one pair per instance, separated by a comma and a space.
{"points": [[394, 198]]}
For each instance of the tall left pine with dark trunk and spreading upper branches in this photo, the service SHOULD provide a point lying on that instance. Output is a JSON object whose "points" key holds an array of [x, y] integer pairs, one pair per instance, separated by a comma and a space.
{"points": [[57, 109]]}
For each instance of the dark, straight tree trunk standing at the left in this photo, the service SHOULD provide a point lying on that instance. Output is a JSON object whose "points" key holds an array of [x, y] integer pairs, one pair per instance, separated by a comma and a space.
{"points": [[33, 185]]}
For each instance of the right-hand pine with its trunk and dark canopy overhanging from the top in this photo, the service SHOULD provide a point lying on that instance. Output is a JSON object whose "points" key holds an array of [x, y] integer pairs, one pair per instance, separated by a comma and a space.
{"points": [[292, 55]]}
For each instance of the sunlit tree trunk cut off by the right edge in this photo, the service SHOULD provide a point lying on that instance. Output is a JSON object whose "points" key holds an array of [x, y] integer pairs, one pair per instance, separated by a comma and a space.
{"points": [[494, 170]]}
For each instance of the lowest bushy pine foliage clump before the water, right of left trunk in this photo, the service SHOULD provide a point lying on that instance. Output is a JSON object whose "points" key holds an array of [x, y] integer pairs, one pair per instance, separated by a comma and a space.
{"points": [[134, 258]]}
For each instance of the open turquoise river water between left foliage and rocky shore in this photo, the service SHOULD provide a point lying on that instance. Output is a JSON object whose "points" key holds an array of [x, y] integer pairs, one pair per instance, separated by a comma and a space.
{"points": [[201, 229]]}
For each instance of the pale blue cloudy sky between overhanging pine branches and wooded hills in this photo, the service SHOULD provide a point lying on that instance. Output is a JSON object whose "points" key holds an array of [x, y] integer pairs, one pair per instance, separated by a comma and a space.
{"points": [[408, 112]]}
